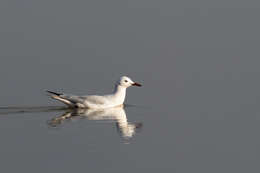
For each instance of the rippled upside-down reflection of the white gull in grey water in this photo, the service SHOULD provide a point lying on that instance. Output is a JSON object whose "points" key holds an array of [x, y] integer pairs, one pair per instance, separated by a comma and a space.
{"points": [[125, 128]]}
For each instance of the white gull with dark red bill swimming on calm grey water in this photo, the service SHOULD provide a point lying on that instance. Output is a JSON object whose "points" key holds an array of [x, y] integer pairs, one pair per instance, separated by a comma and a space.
{"points": [[95, 101]]}
